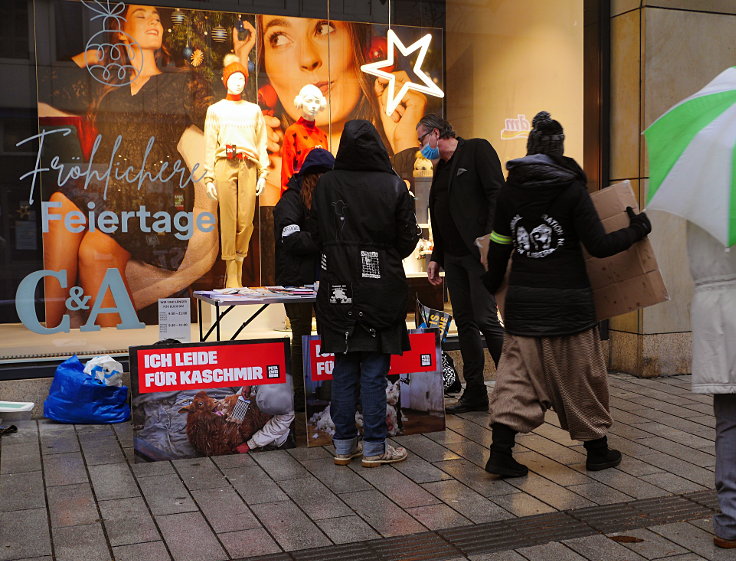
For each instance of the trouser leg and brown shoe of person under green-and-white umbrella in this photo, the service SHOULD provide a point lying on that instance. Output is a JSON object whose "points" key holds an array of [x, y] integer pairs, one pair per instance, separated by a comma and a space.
{"points": [[724, 523]]}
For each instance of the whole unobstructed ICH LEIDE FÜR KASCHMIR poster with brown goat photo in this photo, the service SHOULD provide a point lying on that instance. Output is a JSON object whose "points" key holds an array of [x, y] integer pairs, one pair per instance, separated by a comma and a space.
{"points": [[211, 399]]}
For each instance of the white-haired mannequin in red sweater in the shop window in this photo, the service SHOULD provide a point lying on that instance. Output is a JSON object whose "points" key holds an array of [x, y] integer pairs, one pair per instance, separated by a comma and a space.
{"points": [[303, 135]]}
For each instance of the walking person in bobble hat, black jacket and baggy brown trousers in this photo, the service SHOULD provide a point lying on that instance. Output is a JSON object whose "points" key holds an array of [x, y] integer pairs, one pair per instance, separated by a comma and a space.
{"points": [[552, 355]]}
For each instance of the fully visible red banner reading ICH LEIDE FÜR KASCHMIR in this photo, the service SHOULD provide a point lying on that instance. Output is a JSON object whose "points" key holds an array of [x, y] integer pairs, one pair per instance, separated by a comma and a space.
{"points": [[209, 366]]}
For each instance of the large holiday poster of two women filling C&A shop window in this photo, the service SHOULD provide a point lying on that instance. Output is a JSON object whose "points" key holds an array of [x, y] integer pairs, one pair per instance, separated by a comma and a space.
{"points": [[120, 178]]}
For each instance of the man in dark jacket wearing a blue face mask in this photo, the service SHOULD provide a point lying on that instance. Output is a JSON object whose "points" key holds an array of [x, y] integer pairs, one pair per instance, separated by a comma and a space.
{"points": [[462, 200]]}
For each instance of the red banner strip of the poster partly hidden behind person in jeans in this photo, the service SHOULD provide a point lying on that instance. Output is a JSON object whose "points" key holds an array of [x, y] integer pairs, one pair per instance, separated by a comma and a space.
{"points": [[421, 358]]}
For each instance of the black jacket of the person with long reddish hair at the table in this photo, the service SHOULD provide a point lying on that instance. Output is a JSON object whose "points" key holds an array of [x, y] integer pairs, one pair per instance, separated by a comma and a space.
{"points": [[295, 232]]}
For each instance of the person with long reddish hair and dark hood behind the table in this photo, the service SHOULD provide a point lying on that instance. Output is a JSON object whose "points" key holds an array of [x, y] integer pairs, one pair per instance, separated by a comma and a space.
{"points": [[297, 252]]}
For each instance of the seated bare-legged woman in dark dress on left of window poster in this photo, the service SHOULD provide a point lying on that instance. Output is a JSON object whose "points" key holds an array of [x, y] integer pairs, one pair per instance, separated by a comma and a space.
{"points": [[141, 115]]}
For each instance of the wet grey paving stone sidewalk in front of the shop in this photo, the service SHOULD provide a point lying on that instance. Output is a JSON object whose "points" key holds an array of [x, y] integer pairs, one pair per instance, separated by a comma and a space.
{"points": [[74, 493]]}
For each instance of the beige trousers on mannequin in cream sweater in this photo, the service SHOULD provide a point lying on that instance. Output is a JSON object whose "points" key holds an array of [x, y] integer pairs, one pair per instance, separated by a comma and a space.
{"points": [[235, 181]]}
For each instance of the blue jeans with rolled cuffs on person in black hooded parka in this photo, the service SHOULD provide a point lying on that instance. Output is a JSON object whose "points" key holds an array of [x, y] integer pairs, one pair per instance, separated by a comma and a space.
{"points": [[364, 374]]}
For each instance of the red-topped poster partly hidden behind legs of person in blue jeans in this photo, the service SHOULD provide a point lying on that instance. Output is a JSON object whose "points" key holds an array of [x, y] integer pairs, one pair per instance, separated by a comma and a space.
{"points": [[414, 390]]}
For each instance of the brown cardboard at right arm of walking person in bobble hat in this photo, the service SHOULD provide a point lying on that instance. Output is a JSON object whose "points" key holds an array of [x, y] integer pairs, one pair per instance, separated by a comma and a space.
{"points": [[628, 280]]}
